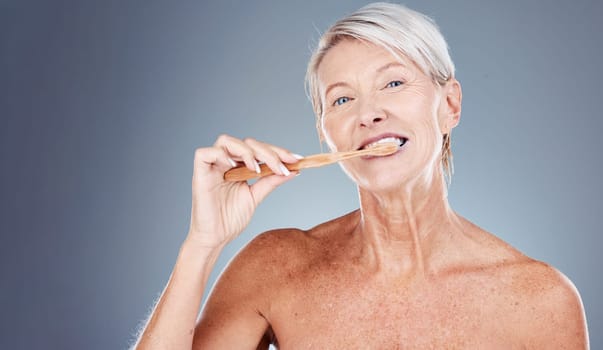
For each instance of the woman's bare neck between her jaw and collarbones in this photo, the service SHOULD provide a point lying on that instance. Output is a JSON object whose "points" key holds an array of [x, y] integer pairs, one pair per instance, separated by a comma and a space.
{"points": [[399, 229]]}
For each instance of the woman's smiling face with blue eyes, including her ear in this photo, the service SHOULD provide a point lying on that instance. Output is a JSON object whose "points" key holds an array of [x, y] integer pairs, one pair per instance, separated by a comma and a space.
{"points": [[369, 95]]}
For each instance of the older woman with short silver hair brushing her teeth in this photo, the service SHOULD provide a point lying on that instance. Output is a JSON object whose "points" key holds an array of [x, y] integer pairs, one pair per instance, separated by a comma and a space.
{"points": [[402, 271]]}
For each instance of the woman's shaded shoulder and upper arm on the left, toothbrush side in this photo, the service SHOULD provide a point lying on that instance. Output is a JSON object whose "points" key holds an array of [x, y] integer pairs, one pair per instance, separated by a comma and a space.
{"points": [[237, 310]]}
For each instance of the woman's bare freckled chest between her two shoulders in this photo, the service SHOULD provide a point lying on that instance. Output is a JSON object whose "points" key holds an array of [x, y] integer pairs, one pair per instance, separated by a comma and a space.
{"points": [[338, 306]]}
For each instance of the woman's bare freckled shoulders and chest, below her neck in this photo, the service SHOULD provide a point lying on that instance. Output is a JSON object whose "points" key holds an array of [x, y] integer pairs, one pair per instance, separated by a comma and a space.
{"points": [[313, 290]]}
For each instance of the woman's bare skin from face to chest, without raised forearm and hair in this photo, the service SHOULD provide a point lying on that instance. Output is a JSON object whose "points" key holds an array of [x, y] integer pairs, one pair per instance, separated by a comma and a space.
{"points": [[404, 271]]}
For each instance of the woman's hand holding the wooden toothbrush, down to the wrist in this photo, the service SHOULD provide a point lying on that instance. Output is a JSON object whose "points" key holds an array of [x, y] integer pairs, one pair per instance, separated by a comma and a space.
{"points": [[221, 209]]}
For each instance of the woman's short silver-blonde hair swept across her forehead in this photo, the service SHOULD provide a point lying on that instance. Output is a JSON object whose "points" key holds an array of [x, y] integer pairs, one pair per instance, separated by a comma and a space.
{"points": [[398, 29]]}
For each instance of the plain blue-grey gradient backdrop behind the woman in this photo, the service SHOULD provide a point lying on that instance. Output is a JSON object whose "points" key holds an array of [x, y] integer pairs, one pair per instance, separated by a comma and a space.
{"points": [[103, 103]]}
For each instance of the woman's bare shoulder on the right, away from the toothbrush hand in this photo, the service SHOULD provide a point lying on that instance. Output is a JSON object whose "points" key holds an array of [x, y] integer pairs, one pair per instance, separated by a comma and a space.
{"points": [[540, 301]]}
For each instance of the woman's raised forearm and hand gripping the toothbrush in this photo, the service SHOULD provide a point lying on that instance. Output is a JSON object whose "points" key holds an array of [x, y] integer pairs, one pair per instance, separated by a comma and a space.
{"points": [[220, 212]]}
